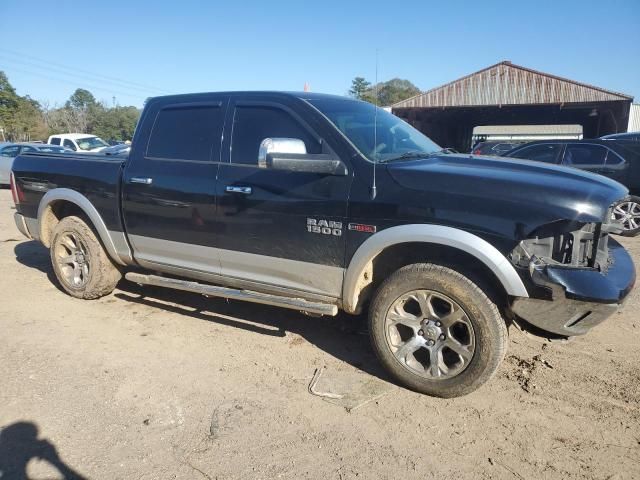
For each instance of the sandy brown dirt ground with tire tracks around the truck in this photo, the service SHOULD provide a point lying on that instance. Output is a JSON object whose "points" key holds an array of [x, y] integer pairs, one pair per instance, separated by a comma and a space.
{"points": [[154, 384]]}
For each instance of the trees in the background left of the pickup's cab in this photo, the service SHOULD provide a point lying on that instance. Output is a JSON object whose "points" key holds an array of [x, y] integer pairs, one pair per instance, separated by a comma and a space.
{"points": [[24, 119]]}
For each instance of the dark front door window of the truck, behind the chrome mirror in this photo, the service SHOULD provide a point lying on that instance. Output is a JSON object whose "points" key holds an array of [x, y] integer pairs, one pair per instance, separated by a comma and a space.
{"points": [[252, 124]]}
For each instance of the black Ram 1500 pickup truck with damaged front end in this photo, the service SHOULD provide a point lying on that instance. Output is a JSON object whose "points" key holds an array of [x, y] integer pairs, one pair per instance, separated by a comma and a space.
{"points": [[321, 203]]}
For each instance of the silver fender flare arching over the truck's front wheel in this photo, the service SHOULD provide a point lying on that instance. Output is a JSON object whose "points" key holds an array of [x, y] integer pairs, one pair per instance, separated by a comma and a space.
{"points": [[438, 234]]}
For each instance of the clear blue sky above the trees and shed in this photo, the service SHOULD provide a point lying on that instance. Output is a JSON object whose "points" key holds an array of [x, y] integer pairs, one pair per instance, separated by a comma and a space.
{"points": [[148, 48]]}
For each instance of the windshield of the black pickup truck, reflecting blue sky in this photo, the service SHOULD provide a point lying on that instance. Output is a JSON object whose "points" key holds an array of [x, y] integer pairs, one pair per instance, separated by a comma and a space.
{"points": [[394, 137]]}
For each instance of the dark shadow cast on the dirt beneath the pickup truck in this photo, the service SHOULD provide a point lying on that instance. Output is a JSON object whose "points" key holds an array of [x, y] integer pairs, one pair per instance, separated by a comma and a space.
{"points": [[343, 337]]}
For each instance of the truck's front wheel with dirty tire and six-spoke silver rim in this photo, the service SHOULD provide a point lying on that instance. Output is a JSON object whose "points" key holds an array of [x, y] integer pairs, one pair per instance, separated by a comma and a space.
{"points": [[436, 331]]}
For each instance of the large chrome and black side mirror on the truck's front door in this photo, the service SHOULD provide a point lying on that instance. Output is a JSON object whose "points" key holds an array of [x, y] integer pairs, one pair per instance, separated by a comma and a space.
{"points": [[290, 154]]}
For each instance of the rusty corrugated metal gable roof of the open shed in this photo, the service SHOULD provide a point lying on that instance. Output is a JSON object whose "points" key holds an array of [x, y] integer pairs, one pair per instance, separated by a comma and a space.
{"points": [[507, 84]]}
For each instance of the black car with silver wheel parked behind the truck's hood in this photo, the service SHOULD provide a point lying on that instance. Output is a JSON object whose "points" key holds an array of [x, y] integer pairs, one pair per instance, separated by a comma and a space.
{"points": [[616, 159]]}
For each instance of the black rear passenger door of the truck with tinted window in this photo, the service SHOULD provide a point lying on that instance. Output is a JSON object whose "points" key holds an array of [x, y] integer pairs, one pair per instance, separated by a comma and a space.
{"points": [[169, 185]]}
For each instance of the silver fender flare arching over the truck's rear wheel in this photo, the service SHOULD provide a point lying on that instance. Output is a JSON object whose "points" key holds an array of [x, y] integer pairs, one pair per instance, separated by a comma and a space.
{"points": [[114, 242]]}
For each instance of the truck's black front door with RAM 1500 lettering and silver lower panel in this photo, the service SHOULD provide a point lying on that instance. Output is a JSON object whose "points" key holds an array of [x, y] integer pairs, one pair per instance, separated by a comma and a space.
{"points": [[279, 228]]}
